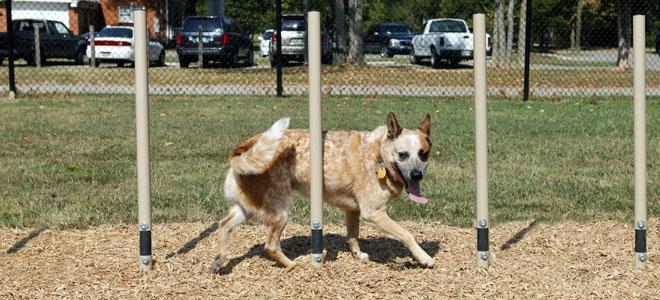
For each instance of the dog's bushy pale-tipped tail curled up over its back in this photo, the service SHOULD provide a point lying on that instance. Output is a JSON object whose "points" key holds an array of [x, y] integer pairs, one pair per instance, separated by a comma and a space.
{"points": [[256, 154]]}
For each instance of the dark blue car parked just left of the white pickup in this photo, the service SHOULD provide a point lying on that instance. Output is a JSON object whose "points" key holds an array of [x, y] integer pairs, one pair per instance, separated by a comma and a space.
{"points": [[388, 39]]}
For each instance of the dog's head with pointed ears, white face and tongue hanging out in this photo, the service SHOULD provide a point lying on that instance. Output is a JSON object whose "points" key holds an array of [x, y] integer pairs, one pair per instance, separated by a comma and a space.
{"points": [[408, 152]]}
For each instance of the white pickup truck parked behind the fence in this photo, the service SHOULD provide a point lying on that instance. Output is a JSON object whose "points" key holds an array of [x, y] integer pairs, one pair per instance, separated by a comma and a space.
{"points": [[444, 39]]}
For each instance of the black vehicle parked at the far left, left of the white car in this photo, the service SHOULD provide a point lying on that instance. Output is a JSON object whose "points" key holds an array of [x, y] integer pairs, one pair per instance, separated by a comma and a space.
{"points": [[55, 41]]}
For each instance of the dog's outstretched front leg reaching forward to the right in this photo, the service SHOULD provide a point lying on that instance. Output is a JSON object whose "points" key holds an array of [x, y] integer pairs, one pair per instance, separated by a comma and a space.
{"points": [[384, 223]]}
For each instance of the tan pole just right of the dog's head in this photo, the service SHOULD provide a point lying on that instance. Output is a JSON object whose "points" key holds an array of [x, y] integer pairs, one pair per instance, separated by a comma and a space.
{"points": [[481, 140]]}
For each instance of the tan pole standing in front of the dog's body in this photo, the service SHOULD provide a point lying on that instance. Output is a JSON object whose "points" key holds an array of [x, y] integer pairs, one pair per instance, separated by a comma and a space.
{"points": [[316, 142]]}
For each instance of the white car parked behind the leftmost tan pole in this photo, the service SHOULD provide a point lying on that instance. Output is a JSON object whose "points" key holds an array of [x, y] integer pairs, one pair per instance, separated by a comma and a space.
{"points": [[115, 44]]}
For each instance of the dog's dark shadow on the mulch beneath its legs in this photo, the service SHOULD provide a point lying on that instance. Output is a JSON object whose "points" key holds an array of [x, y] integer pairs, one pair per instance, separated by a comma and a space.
{"points": [[381, 250]]}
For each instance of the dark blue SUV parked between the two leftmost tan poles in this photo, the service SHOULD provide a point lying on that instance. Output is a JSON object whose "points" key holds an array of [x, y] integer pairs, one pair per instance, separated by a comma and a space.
{"points": [[222, 41]]}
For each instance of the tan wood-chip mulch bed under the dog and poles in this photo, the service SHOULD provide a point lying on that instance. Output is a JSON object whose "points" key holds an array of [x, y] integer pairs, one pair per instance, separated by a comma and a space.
{"points": [[529, 259]]}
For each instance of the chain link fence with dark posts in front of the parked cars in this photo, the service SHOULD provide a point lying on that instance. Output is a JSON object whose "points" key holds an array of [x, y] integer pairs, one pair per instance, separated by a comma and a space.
{"points": [[369, 47]]}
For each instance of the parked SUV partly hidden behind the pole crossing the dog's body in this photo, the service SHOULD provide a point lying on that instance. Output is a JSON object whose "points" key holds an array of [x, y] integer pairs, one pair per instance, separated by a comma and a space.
{"points": [[294, 37]]}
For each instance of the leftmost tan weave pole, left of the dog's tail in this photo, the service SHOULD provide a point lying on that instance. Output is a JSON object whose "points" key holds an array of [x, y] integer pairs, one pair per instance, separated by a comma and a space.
{"points": [[142, 136]]}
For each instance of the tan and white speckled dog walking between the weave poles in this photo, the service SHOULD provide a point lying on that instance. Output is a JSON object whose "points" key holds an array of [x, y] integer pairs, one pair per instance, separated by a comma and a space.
{"points": [[362, 173]]}
